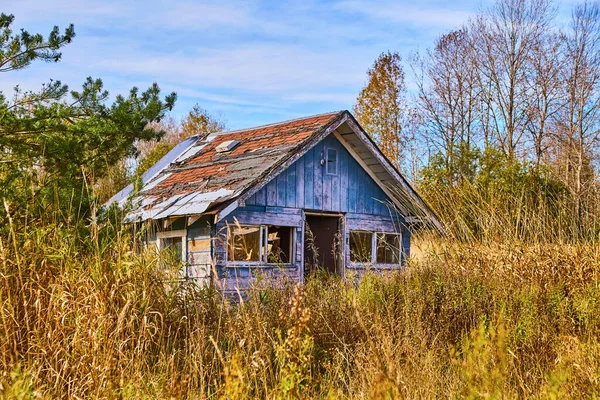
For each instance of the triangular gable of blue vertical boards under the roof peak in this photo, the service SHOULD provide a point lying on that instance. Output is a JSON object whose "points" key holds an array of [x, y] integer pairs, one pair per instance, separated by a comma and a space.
{"points": [[306, 185]]}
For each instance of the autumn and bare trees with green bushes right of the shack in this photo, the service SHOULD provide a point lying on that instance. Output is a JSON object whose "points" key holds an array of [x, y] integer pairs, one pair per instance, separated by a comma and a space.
{"points": [[512, 92]]}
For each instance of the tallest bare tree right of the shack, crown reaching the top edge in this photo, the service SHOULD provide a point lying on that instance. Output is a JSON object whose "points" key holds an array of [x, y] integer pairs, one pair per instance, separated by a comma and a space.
{"points": [[506, 36]]}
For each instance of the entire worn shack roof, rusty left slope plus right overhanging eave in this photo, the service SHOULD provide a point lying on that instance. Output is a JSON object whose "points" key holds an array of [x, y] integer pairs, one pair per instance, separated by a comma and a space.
{"points": [[201, 174]]}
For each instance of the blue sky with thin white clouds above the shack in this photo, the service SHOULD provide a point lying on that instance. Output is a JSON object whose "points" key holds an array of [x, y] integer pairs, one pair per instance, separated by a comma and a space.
{"points": [[251, 62]]}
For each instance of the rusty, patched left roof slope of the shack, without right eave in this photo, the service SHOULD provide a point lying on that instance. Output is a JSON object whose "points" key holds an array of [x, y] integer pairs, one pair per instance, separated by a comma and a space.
{"points": [[195, 177]]}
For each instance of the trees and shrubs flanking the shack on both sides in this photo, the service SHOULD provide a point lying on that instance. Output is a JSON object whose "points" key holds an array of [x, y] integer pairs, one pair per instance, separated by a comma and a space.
{"points": [[504, 121]]}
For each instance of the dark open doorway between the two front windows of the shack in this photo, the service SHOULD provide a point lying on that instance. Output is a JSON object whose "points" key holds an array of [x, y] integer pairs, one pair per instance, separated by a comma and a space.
{"points": [[321, 243]]}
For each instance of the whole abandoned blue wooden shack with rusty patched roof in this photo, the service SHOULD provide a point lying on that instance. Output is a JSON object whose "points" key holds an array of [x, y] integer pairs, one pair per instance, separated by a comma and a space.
{"points": [[278, 200]]}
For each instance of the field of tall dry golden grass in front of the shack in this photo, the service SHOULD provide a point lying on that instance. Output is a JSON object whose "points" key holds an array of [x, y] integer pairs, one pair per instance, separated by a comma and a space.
{"points": [[91, 319]]}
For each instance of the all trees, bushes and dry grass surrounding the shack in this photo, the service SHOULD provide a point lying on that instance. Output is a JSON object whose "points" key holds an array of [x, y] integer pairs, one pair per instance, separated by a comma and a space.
{"points": [[505, 305]]}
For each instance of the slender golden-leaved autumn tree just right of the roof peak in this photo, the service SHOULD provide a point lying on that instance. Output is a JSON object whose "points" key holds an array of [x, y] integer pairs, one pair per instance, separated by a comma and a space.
{"points": [[381, 107]]}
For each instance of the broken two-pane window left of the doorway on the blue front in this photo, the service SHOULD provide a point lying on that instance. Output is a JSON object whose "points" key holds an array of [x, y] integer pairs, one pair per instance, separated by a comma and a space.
{"points": [[270, 244]]}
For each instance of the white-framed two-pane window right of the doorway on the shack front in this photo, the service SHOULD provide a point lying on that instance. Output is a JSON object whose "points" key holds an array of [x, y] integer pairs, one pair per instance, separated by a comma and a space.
{"points": [[375, 247]]}
